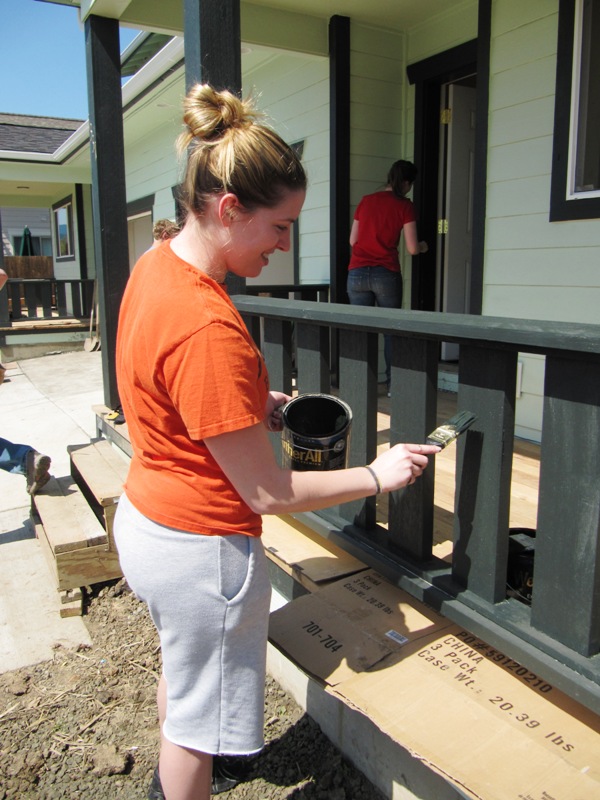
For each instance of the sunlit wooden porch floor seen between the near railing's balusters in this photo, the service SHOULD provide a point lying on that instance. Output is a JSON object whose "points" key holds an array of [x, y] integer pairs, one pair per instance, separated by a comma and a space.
{"points": [[524, 486]]}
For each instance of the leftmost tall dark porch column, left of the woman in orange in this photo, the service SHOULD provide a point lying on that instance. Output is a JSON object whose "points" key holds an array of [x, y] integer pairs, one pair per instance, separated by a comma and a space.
{"points": [[109, 206]]}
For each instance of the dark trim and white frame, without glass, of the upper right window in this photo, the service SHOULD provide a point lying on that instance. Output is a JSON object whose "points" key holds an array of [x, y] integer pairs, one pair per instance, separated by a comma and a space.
{"points": [[563, 204]]}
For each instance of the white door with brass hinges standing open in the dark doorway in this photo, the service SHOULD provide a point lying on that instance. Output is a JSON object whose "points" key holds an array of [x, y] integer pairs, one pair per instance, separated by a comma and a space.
{"points": [[455, 202]]}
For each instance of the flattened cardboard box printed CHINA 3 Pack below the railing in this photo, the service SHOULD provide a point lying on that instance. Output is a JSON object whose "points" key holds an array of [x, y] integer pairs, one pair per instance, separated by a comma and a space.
{"points": [[475, 716]]}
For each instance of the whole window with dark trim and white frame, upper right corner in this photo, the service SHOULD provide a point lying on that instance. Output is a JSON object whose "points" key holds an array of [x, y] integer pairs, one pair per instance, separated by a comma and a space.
{"points": [[576, 158]]}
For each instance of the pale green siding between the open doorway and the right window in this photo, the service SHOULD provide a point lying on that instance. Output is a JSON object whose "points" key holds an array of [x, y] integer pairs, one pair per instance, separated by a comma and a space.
{"points": [[534, 268]]}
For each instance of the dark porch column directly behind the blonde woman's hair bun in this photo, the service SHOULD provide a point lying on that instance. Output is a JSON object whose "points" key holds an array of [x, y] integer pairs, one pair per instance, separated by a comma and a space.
{"points": [[213, 54]]}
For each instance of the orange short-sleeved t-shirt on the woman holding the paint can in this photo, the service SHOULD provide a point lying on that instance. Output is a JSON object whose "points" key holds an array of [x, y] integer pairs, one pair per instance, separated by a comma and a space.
{"points": [[187, 368]]}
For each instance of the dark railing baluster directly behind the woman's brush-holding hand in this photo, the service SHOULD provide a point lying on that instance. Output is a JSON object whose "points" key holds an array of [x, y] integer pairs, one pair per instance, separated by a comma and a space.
{"points": [[412, 417]]}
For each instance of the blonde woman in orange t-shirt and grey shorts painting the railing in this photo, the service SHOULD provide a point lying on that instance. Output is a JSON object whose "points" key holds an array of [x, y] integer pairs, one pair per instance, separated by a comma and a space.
{"points": [[195, 393]]}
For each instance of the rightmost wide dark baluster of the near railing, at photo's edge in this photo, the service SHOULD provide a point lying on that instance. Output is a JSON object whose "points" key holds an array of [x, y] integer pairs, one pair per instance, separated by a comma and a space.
{"points": [[566, 588]]}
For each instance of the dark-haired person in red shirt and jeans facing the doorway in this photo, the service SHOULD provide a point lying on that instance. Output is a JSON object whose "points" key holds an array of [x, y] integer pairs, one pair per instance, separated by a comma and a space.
{"points": [[374, 274]]}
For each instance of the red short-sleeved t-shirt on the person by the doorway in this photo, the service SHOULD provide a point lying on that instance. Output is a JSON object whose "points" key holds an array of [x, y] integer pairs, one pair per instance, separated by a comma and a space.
{"points": [[381, 217]]}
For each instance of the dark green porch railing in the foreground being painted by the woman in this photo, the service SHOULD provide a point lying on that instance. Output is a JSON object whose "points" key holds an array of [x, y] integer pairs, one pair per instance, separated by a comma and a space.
{"points": [[554, 640]]}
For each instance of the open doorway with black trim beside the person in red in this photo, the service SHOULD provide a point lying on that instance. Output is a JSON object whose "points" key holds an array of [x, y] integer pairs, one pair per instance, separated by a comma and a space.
{"points": [[450, 150]]}
